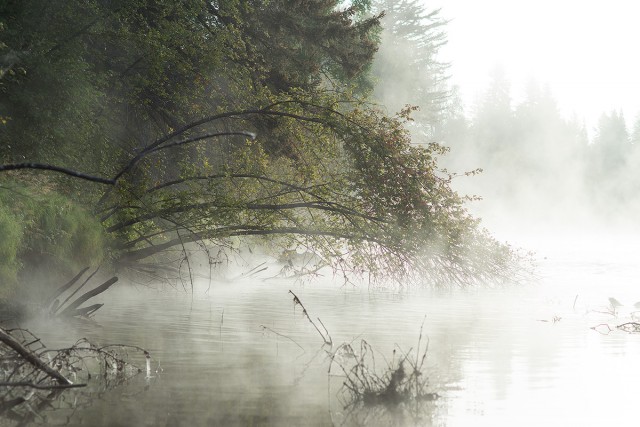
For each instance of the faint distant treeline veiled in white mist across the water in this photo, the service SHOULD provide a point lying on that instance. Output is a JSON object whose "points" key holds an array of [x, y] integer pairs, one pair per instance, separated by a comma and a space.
{"points": [[540, 169]]}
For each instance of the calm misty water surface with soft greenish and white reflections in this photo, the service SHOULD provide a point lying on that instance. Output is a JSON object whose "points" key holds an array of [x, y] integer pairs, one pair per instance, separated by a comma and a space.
{"points": [[244, 355]]}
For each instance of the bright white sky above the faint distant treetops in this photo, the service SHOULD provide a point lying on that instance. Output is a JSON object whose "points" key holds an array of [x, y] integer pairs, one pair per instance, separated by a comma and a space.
{"points": [[587, 51]]}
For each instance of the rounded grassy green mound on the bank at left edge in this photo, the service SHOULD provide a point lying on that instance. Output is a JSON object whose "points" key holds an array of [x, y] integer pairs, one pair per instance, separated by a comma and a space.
{"points": [[45, 234]]}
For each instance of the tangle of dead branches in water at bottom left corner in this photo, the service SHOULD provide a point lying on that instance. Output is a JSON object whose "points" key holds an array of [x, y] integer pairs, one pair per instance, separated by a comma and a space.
{"points": [[34, 379]]}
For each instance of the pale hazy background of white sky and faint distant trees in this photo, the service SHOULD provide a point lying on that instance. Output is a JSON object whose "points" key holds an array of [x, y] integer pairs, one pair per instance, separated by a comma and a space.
{"points": [[546, 102]]}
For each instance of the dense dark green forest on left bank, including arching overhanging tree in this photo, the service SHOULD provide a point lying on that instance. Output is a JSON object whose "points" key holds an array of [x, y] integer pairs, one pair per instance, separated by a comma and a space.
{"points": [[134, 132]]}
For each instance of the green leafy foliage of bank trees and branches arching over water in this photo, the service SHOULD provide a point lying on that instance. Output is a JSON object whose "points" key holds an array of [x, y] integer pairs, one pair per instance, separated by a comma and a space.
{"points": [[224, 120]]}
